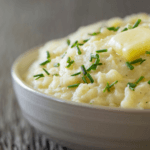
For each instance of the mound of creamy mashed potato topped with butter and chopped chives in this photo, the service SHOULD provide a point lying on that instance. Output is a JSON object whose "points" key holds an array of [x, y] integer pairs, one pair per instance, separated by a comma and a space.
{"points": [[110, 64]]}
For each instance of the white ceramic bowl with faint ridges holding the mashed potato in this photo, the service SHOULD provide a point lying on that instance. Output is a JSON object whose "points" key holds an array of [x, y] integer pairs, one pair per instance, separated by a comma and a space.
{"points": [[76, 125]]}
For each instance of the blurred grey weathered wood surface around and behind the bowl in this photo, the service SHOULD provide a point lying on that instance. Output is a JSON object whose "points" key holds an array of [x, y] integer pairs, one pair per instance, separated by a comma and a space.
{"points": [[25, 24]]}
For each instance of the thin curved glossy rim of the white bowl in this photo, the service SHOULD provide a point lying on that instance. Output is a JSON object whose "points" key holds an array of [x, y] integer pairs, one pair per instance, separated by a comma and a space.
{"points": [[18, 80]]}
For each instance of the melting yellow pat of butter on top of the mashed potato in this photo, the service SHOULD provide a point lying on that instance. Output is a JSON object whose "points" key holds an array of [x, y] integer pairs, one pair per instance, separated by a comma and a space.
{"points": [[132, 43]]}
